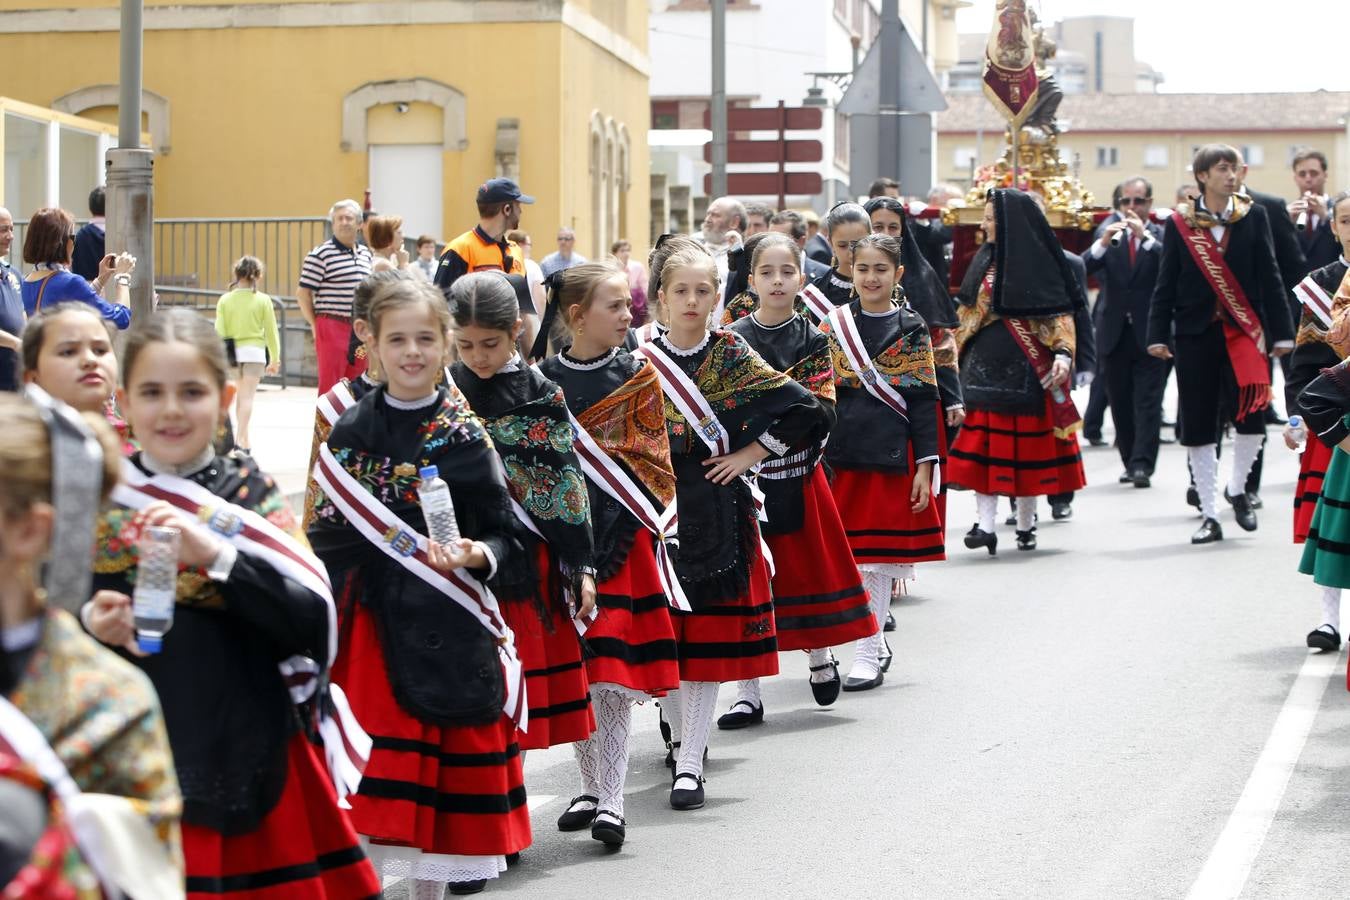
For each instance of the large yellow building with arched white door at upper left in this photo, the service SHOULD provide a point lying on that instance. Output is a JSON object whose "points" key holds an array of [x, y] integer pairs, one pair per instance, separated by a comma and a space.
{"points": [[281, 107]]}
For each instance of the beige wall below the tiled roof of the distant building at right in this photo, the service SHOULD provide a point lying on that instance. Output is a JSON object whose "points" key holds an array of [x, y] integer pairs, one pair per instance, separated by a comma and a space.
{"points": [[1164, 159]]}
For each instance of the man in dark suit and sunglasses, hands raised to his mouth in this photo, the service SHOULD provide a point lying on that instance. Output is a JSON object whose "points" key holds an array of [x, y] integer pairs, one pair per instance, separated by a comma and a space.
{"points": [[1136, 380]]}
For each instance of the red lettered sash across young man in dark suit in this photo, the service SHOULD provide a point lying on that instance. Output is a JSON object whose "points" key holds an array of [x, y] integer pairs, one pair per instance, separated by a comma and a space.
{"points": [[1241, 327]]}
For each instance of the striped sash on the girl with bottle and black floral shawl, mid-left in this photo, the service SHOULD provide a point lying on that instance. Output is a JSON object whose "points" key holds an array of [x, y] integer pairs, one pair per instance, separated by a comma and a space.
{"points": [[379, 526]]}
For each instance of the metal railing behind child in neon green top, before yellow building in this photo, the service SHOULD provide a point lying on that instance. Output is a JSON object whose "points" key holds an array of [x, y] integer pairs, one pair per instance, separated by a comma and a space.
{"points": [[195, 262]]}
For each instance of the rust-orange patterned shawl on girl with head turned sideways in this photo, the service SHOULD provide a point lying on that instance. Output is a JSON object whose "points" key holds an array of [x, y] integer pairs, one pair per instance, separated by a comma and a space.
{"points": [[631, 427]]}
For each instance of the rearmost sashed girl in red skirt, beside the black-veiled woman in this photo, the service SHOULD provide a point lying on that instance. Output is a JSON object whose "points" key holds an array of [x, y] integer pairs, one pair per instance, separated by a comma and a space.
{"points": [[886, 441]]}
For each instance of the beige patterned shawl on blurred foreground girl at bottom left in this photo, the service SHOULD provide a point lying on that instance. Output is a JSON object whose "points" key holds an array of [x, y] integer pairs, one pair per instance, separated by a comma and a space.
{"points": [[102, 717]]}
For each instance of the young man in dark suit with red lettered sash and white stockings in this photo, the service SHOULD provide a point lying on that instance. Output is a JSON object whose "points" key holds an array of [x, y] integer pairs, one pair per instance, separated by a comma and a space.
{"points": [[1221, 306]]}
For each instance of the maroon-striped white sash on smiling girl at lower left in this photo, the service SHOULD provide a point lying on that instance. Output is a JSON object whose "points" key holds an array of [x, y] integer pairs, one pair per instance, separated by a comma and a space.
{"points": [[346, 744]]}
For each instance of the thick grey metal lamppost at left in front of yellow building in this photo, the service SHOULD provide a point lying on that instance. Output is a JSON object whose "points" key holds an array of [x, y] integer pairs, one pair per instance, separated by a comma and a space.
{"points": [[130, 172]]}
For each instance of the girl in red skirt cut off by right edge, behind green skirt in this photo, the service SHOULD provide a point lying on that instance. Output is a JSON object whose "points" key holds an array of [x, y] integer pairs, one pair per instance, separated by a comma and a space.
{"points": [[1322, 341]]}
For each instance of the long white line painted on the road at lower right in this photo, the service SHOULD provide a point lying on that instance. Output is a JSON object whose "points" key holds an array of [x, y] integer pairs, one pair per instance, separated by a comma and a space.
{"points": [[1226, 871]]}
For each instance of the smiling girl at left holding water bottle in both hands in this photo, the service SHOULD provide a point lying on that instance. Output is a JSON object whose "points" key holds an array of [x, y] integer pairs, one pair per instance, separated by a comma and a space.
{"points": [[257, 799]]}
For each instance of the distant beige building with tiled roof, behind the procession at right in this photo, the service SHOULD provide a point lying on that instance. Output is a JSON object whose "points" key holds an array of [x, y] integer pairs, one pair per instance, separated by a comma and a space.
{"points": [[1113, 137]]}
